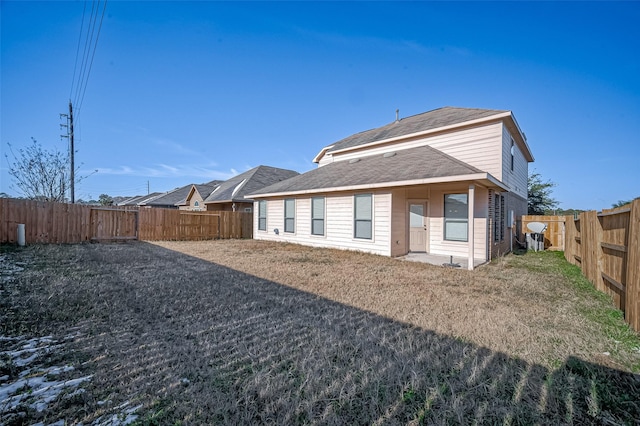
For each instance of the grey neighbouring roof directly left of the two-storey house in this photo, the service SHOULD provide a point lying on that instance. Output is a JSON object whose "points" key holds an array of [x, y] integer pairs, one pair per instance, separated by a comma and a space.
{"points": [[236, 188]]}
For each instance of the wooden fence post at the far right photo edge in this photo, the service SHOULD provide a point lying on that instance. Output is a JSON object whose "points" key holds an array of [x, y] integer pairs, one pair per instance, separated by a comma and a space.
{"points": [[632, 296]]}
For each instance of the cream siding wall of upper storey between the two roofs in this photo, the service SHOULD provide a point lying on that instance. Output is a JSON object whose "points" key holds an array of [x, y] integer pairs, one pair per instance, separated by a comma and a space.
{"points": [[480, 146]]}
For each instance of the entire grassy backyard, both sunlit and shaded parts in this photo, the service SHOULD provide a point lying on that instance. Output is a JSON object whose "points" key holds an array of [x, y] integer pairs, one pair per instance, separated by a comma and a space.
{"points": [[241, 332]]}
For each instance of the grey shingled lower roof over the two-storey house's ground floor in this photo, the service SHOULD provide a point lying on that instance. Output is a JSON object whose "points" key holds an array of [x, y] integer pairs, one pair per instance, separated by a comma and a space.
{"points": [[403, 167]]}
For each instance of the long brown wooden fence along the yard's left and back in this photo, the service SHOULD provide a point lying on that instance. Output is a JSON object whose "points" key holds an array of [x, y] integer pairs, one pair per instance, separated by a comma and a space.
{"points": [[47, 222]]}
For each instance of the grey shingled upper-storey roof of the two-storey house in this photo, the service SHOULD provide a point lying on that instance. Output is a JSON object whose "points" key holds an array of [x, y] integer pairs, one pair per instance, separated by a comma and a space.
{"points": [[437, 119]]}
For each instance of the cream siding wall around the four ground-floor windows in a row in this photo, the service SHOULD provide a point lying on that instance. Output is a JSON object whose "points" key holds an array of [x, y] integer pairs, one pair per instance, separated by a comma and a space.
{"points": [[339, 222]]}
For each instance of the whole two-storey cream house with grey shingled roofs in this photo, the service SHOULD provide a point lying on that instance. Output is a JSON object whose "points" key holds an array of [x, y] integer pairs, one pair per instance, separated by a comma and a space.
{"points": [[449, 181]]}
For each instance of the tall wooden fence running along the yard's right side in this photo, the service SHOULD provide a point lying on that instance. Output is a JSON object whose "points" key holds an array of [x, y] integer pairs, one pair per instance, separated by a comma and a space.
{"points": [[606, 246]]}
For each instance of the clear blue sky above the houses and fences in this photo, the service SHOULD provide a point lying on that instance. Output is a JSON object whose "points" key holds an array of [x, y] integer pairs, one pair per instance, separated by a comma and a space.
{"points": [[187, 92]]}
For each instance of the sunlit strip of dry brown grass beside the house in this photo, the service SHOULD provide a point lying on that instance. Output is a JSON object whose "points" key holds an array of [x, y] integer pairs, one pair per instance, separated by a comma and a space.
{"points": [[520, 312]]}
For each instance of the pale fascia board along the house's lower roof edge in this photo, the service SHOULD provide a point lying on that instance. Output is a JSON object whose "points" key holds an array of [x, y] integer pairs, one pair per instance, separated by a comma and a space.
{"points": [[445, 179]]}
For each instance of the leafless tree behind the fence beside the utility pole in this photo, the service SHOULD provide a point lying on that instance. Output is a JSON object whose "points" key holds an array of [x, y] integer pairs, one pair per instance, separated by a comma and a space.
{"points": [[38, 173]]}
